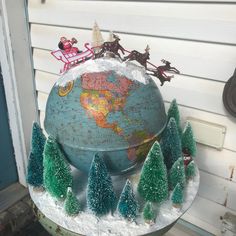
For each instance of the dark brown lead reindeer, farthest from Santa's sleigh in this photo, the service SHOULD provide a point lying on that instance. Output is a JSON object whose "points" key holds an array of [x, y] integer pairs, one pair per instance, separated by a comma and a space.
{"points": [[159, 72]]}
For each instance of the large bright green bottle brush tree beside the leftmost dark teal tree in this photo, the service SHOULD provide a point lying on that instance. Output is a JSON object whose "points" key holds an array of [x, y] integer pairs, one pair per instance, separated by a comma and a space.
{"points": [[57, 174]]}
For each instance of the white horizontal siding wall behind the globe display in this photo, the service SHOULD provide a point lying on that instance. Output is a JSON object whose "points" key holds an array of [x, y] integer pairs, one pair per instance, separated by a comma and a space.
{"points": [[199, 38]]}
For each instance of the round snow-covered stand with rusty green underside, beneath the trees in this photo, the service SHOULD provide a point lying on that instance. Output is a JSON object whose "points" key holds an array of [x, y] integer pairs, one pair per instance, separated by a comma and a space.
{"points": [[51, 215]]}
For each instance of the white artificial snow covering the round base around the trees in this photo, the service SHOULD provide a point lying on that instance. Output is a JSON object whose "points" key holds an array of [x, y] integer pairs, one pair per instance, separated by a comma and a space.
{"points": [[88, 224]]}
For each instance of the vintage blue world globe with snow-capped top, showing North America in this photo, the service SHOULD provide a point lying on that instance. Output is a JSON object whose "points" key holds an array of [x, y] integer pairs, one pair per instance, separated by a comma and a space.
{"points": [[107, 107]]}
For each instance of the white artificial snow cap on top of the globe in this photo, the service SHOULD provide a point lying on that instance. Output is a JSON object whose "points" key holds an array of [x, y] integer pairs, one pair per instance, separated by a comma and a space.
{"points": [[127, 69]]}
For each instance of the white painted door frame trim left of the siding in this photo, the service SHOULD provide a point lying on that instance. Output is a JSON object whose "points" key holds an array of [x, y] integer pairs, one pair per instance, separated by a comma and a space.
{"points": [[18, 77]]}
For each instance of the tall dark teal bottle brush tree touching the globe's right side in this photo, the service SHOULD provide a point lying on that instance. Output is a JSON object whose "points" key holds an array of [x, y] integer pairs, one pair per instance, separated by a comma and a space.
{"points": [[171, 144]]}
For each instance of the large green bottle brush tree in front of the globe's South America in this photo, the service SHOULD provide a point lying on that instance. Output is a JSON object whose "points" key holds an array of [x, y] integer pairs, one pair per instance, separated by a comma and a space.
{"points": [[153, 183]]}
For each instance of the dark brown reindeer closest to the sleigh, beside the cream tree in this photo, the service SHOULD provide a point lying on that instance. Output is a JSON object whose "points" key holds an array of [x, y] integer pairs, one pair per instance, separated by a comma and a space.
{"points": [[113, 47]]}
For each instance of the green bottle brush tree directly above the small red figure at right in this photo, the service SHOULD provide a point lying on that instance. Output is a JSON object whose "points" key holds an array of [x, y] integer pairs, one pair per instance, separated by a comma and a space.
{"points": [[188, 142]]}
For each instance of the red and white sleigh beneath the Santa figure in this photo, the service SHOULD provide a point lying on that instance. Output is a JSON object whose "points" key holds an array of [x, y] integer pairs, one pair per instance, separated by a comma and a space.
{"points": [[73, 58]]}
